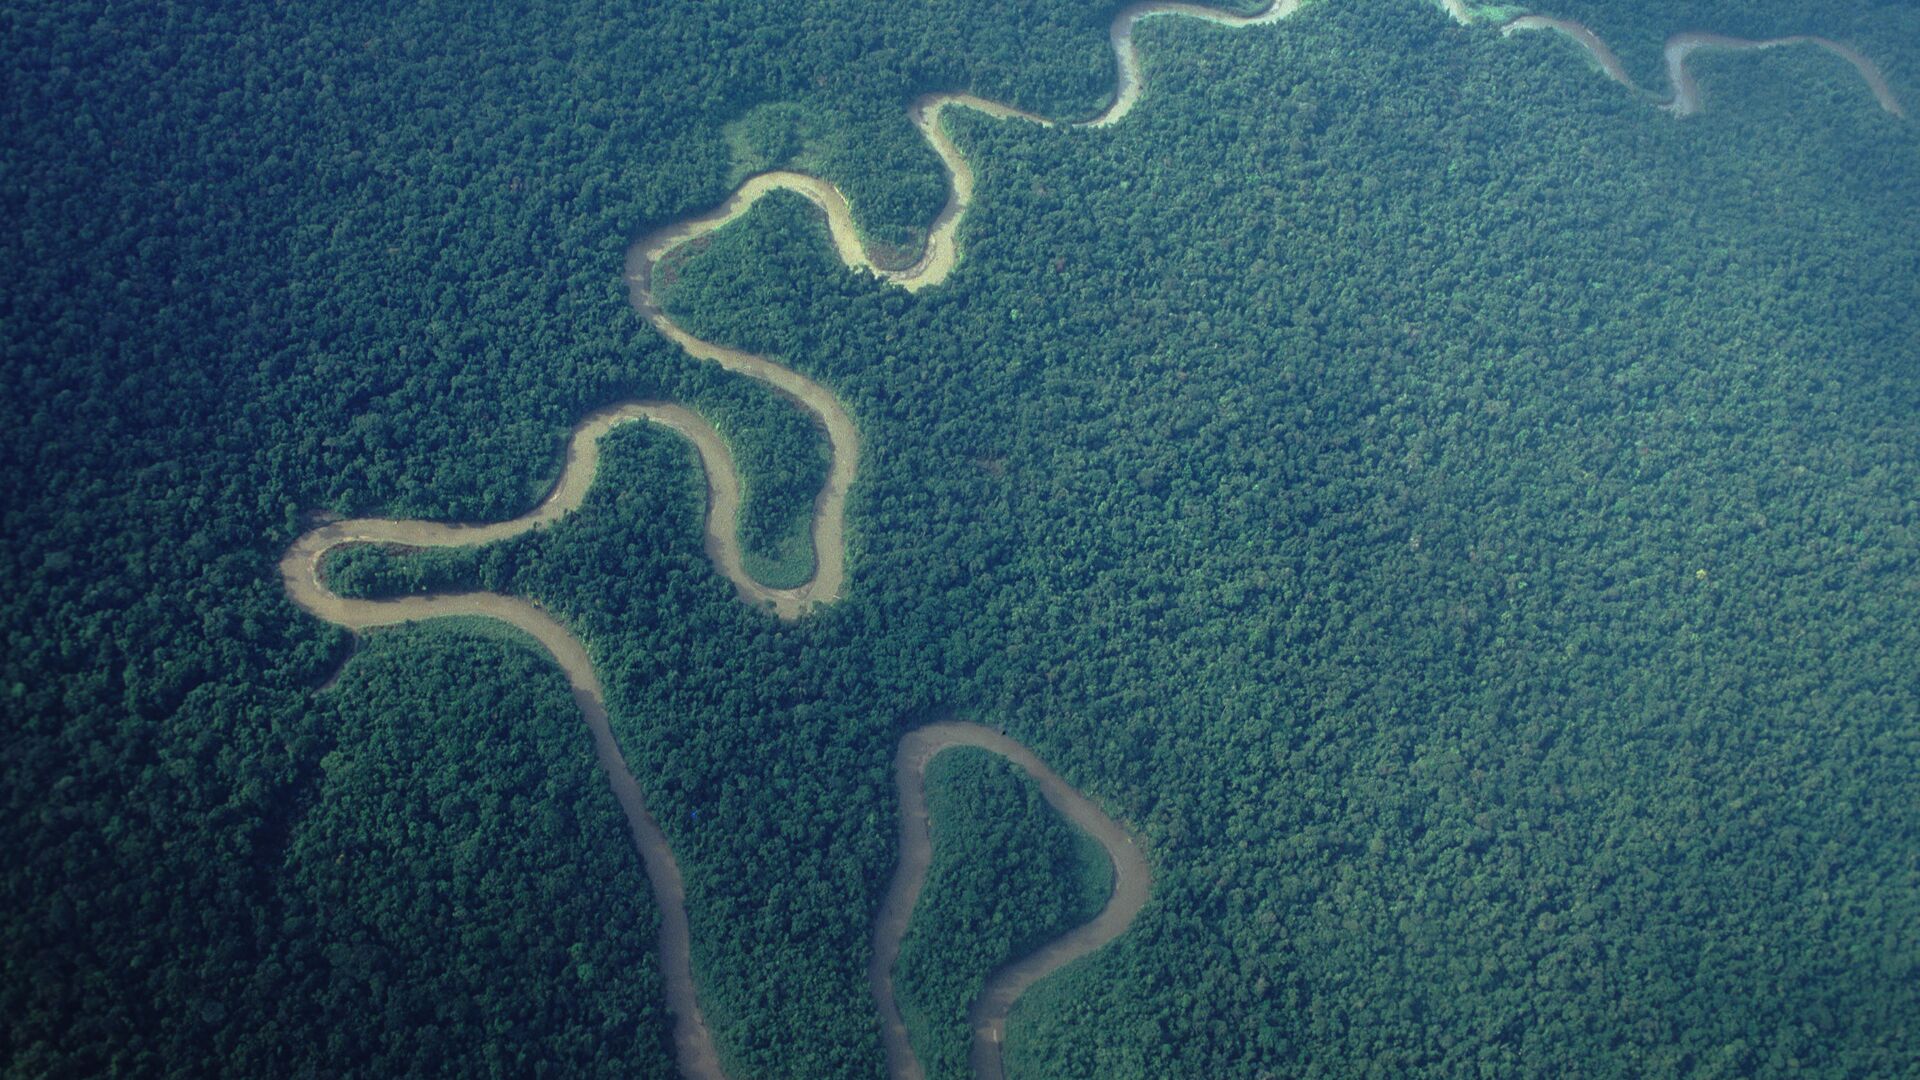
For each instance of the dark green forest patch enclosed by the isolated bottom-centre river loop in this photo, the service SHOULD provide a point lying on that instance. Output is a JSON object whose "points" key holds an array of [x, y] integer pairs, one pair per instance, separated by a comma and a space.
{"points": [[1007, 877]]}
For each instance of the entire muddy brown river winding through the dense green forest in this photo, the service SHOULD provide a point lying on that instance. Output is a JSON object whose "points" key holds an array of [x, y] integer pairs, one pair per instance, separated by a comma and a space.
{"points": [[694, 1046]]}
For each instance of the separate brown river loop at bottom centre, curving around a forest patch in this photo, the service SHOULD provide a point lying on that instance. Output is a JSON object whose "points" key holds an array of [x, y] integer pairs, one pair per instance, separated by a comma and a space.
{"points": [[988, 1016]]}
